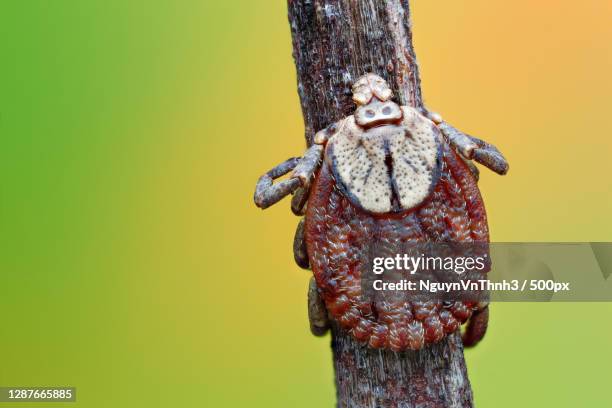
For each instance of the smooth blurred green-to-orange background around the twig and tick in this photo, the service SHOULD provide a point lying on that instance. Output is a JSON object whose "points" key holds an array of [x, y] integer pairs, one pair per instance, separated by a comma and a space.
{"points": [[134, 263]]}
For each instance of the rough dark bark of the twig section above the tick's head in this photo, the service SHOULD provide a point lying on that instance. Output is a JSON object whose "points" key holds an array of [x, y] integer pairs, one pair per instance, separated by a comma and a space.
{"points": [[336, 41]]}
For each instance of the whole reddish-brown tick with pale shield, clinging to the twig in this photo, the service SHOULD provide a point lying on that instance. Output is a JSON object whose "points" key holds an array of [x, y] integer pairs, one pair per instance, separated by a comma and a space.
{"points": [[371, 183]]}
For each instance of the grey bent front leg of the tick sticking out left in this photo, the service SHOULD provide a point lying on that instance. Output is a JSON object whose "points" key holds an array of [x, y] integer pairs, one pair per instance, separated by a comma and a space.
{"points": [[267, 193]]}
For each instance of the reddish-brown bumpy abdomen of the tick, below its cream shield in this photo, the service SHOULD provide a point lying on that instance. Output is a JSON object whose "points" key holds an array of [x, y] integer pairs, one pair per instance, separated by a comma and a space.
{"points": [[341, 239]]}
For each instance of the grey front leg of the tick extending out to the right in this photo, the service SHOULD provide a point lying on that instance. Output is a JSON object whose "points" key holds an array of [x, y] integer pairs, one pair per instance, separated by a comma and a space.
{"points": [[470, 147]]}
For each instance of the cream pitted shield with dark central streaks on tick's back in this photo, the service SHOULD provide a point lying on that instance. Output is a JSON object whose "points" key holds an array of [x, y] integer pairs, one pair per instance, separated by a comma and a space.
{"points": [[390, 168]]}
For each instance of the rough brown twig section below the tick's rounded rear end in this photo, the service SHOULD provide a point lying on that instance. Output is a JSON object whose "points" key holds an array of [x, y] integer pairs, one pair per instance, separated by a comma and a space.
{"points": [[435, 376]]}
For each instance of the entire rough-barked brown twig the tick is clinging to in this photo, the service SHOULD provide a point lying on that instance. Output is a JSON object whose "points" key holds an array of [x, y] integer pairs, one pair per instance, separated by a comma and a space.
{"points": [[335, 42]]}
